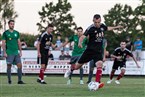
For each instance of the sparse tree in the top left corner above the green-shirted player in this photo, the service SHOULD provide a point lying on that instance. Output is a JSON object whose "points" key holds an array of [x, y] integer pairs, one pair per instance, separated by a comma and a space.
{"points": [[6, 12]]}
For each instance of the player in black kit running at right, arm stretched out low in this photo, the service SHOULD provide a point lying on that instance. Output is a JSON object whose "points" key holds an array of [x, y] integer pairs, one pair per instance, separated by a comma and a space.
{"points": [[120, 55]]}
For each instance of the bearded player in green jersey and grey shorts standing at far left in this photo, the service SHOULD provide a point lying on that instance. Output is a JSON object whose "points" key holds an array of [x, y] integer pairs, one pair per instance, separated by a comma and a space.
{"points": [[12, 51]]}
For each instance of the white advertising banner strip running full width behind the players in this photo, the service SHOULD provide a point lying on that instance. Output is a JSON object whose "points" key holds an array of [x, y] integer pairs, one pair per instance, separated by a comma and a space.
{"points": [[60, 66]]}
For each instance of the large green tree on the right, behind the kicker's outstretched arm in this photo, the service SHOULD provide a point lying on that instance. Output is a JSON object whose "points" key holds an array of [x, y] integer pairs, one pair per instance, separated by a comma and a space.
{"points": [[127, 17]]}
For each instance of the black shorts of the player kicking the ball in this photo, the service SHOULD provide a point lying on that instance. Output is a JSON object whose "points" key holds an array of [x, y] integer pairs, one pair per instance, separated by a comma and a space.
{"points": [[88, 55]]}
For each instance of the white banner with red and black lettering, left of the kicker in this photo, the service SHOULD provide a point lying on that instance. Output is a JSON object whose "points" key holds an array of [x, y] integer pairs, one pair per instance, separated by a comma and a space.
{"points": [[53, 67]]}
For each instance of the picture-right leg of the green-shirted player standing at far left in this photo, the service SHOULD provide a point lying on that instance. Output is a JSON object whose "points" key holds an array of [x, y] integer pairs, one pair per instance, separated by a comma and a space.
{"points": [[19, 70]]}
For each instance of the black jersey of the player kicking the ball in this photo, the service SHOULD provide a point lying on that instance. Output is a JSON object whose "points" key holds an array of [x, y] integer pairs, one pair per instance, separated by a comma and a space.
{"points": [[96, 36]]}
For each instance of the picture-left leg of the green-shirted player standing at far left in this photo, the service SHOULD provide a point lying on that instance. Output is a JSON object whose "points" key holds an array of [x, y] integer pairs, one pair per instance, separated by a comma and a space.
{"points": [[9, 60]]}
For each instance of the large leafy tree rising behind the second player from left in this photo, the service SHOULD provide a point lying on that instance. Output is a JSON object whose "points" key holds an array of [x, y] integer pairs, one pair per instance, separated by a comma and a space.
{"points": [[59, 15]]}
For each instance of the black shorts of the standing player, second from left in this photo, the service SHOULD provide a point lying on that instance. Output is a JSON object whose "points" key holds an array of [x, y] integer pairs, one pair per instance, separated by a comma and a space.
{"points": [[43, 59]]}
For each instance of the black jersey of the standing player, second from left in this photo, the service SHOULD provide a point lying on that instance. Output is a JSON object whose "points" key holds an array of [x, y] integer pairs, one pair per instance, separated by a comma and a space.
{"points": [[45, 40]]}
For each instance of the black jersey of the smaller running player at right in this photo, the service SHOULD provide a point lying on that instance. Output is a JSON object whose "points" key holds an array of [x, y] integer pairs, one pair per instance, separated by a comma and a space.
{"points": [[123, 54]]}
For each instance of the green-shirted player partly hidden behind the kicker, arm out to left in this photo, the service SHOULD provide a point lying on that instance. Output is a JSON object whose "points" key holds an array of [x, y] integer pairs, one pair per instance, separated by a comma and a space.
{"points": [[77, 52]]}
